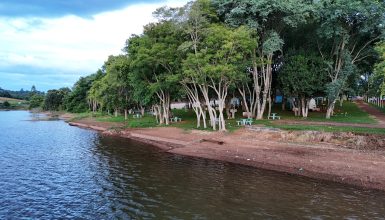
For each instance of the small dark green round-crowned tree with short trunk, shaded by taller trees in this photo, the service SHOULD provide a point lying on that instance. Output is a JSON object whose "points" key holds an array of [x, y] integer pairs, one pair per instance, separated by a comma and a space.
{"points": [[303, 75]]}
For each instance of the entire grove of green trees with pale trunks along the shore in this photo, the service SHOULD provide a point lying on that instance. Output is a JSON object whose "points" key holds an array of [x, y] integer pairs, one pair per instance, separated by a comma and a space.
{"points": [[253, 49]]}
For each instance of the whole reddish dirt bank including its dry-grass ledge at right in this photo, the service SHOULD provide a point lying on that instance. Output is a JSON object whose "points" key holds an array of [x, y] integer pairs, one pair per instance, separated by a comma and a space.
{"points": [[316, 155]]}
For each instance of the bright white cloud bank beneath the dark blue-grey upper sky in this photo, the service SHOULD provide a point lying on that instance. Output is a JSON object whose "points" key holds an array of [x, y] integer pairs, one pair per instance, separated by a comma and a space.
{"points": [[71, 44]]}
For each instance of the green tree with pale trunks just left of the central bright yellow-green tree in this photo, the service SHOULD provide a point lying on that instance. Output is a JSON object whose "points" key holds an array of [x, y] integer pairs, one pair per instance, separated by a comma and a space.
{"points": [[155, 62]]}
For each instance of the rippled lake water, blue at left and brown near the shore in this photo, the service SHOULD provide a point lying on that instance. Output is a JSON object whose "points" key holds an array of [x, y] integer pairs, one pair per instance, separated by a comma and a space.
{"points": [[49, 170]]}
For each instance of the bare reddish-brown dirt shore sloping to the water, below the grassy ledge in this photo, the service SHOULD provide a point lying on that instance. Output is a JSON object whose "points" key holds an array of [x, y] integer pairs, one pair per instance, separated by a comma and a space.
{"points": [[323, 162]]}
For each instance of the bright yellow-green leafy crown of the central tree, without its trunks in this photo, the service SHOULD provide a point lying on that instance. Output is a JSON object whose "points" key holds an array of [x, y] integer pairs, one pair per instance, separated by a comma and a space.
{"points": [[222, 50]]}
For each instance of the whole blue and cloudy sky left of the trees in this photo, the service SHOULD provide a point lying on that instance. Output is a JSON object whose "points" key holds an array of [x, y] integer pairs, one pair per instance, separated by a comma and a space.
{"points": [[52, 43]]}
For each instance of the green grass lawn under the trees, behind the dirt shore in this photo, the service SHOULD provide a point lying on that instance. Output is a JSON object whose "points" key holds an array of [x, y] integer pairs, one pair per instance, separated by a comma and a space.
{"points": [[348, 113]]}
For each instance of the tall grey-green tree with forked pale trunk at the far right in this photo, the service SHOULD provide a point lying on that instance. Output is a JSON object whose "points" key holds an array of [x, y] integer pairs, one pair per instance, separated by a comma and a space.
{"points": [[348, 30]]}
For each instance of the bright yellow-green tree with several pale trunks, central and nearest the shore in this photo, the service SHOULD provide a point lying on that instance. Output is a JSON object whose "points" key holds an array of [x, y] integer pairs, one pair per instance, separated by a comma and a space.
{"points": [[215, 64]]}
